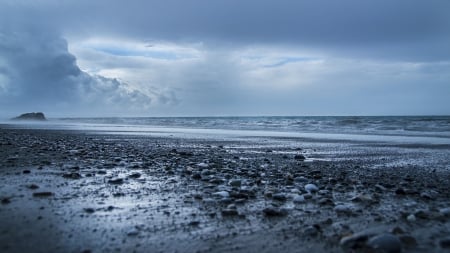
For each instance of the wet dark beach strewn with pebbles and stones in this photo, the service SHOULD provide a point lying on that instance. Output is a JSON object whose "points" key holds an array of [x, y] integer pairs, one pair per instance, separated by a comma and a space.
{"points": [[70, 191]]}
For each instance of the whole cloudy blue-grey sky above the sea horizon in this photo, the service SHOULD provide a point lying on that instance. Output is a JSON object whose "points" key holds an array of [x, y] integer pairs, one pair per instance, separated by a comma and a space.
{"points": [[107, 58]]}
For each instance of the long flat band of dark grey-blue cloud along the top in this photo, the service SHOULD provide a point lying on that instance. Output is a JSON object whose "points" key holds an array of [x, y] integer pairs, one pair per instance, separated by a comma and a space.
{"points": [[404, 29]]}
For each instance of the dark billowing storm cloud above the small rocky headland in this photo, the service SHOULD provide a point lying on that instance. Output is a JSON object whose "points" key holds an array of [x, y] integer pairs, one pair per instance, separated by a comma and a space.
{"points": [[38, 73]]}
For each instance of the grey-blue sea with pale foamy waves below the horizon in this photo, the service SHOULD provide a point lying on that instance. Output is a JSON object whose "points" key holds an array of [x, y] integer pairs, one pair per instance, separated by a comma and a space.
{"points": [[399, 129]]}
